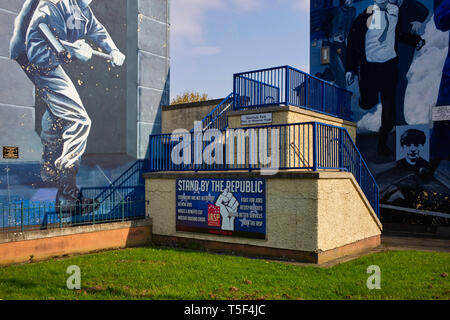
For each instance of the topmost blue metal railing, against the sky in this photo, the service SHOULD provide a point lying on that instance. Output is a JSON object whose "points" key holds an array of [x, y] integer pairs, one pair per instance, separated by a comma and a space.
{"points": [[289, 86]]}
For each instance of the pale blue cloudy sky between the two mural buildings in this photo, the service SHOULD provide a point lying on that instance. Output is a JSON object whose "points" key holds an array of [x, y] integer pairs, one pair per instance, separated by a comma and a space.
{"points": [[213, 39]]}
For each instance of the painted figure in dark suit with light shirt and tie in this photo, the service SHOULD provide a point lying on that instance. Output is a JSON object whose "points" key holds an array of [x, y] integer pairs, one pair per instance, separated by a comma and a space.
{"points": [[372, 56]]}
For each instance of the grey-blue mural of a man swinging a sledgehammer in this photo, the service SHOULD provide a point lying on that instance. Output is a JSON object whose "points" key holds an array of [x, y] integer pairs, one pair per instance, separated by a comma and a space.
{"points": [[78, 109]]}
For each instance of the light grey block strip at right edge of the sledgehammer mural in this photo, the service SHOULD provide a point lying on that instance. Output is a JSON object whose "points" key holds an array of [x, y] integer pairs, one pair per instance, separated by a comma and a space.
{"points": [[153, 67]]}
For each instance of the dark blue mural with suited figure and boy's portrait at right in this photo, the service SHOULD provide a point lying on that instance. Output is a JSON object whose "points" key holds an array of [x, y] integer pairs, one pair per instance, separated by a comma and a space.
{"points": [[393, 56]]}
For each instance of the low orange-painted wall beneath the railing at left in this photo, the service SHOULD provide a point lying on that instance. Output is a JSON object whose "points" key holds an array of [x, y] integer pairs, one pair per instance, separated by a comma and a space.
{"points": [[40, 245]]}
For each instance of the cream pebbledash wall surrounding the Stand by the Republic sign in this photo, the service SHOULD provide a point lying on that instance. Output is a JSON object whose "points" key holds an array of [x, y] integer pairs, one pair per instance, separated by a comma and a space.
{"points": [[310, 216]]}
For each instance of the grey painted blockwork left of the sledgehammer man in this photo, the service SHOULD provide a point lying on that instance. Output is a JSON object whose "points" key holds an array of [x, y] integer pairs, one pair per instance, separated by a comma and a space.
{"points": [[17, 97]]}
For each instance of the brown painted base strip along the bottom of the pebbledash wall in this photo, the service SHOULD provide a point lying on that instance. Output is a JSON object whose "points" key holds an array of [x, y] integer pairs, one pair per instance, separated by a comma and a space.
{"points": [[266, 252]]}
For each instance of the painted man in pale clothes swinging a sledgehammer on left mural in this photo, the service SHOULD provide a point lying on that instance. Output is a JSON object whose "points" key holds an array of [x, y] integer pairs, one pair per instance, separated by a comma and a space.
{"points": [[40, 28]]}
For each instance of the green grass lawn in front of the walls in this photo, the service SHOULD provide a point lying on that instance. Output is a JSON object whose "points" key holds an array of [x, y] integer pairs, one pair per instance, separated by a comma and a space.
{"points": [[161, 273]]}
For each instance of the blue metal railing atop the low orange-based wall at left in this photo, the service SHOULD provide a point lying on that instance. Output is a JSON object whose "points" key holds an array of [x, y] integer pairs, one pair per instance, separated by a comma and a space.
{"points": [[123, 200]]}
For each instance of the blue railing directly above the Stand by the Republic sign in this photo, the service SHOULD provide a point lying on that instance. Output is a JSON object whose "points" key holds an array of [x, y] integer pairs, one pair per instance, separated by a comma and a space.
{"points": [[306, 146]]}
